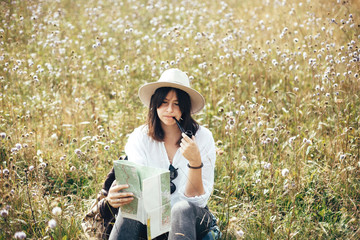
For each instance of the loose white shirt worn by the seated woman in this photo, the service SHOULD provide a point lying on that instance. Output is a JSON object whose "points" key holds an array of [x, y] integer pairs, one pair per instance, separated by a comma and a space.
{"points": [[144, 150]]}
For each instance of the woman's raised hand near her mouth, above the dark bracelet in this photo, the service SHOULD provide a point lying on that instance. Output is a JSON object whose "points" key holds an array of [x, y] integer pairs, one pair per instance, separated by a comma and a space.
{"points": [[190, 150]]}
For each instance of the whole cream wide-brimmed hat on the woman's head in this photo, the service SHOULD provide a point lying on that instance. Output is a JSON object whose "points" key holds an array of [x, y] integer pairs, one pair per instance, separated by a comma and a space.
{"points": [[174, 78]]}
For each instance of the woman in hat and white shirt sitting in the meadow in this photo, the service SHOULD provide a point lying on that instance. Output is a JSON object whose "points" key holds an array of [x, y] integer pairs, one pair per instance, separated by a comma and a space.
{"points": [[161, 144]]}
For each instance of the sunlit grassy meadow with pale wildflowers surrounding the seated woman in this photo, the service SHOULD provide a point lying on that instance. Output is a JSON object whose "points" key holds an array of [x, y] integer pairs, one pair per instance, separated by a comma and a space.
{"points": [[281, 81]]}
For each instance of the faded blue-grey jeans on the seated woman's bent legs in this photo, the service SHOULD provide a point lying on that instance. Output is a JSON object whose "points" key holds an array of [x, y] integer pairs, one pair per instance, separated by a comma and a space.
{"points": [[187, 222]]}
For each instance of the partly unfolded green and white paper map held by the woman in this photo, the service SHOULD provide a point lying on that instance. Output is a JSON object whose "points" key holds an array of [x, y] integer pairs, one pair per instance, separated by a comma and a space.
{"points": [[151, 188]]}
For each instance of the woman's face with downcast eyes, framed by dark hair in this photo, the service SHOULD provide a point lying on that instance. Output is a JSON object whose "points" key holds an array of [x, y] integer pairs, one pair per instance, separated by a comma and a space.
{"points": [[169, 109]]}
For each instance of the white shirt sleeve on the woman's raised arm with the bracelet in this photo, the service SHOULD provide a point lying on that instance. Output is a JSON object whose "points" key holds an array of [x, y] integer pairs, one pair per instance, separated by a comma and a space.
{"points": [[208, 157]]}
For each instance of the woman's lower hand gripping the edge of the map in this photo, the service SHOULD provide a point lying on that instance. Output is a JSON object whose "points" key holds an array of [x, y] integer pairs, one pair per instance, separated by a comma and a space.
{"points": [[116, 198]]}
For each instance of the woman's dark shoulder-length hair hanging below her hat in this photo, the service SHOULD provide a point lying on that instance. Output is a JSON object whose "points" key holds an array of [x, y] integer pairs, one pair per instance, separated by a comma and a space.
{"points": [[153, 121]]}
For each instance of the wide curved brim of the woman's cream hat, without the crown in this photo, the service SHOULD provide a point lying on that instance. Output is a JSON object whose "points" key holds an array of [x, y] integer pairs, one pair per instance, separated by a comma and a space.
{"points": [[147, 90]]}
